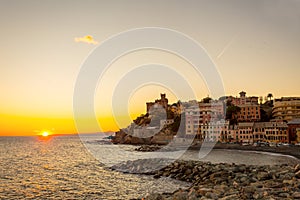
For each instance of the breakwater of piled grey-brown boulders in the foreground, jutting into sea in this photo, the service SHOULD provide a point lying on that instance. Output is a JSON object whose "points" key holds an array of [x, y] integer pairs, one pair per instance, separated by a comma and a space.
{"points": [[221, 181]]}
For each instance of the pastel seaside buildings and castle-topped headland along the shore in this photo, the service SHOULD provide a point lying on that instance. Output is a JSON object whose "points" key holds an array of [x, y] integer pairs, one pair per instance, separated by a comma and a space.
{"points": [[247, 120]]}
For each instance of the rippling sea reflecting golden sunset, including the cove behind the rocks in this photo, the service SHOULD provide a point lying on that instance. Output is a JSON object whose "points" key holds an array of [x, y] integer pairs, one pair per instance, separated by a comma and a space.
{"points": [[77, 167]]}
